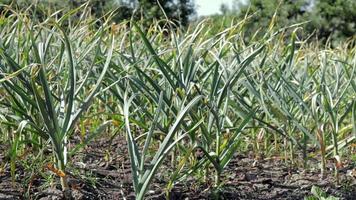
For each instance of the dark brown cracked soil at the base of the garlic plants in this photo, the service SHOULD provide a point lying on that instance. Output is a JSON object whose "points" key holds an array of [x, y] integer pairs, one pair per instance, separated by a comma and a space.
{"points": [[102, 171]]}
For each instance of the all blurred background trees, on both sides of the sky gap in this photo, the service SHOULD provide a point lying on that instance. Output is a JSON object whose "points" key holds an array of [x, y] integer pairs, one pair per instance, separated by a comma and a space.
{"points": [[323, 19]]}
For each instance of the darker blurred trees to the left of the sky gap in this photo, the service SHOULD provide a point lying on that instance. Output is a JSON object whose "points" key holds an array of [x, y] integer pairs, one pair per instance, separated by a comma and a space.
{"points": [[178, 11]]}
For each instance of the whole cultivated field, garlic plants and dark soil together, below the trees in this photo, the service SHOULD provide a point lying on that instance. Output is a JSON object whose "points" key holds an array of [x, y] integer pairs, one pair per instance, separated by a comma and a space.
{"points": [[95, 110]]}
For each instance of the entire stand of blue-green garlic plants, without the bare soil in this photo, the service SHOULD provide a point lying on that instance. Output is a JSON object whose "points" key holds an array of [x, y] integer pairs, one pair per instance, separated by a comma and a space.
{"points": [[175, 91]]}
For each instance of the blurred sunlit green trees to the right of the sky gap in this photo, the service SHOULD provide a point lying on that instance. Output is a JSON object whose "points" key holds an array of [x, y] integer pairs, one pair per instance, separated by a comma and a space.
{"points": [[334, 19]]}
